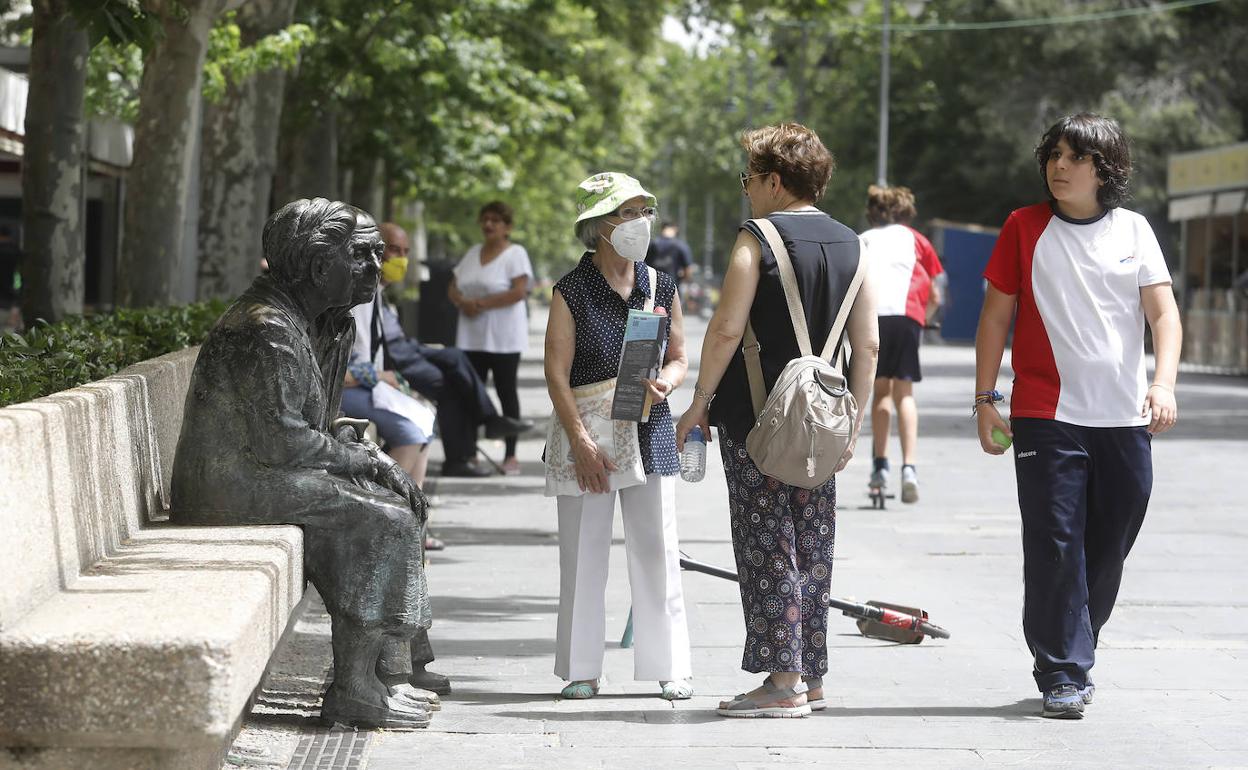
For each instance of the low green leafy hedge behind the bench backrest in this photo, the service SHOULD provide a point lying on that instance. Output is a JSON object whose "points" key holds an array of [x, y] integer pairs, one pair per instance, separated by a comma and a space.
{"points": [[54, 358]]}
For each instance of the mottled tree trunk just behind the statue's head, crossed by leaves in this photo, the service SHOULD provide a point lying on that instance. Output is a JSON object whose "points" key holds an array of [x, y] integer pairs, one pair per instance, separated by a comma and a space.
{"points": [[238, 164]]}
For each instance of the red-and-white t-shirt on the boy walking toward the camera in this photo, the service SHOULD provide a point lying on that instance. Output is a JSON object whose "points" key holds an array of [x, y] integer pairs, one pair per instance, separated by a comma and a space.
{"points": [[1079, 348]]}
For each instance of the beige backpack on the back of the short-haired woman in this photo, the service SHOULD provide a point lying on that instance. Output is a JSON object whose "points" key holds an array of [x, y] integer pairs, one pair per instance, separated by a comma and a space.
{"points": [[804, 426]]}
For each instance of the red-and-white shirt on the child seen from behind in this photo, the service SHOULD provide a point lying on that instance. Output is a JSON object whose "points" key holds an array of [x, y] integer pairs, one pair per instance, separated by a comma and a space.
{"points": [[903, 265]]}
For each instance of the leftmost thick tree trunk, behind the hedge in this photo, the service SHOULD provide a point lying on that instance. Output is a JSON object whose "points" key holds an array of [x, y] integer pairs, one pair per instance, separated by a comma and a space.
{"points": [[53, 215]]}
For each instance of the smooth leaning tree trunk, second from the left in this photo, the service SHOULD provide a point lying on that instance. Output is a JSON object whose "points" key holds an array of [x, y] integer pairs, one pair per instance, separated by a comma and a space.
{"points": [[158, 214]]}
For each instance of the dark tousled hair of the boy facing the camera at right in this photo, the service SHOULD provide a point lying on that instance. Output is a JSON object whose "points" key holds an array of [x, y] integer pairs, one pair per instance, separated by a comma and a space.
{"points": [[1104, 140]]}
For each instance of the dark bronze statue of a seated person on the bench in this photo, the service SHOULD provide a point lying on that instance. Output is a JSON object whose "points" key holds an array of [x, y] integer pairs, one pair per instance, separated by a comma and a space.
{"points": [[258, 447]]}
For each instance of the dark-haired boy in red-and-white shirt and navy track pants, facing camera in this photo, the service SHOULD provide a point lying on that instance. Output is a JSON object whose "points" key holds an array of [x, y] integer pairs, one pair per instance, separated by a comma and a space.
{"points": [[1084, 275]]}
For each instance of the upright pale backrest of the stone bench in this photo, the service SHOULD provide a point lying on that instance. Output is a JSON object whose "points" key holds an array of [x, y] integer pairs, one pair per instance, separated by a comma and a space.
{"points": [[82, 472]]}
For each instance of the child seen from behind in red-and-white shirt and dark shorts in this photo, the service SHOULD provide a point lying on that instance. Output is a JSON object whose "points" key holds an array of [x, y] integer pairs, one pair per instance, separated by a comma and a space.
{"points": [[903, 264]]}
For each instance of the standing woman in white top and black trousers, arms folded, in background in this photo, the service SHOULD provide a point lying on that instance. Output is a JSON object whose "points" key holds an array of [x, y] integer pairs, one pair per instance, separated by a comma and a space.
{"points": [[490, 286]]}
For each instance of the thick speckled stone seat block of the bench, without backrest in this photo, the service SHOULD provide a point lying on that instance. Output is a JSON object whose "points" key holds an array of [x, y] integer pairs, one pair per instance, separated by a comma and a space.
{"points": [[159, 646]]}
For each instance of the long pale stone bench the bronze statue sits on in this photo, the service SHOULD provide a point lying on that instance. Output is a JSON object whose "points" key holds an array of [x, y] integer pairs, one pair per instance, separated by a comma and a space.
{"points": [[125, 642]]}
